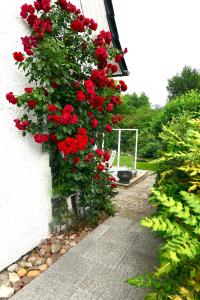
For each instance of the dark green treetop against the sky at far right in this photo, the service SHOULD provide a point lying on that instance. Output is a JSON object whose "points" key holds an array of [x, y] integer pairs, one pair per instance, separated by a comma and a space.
{"points": [[180, 84]]}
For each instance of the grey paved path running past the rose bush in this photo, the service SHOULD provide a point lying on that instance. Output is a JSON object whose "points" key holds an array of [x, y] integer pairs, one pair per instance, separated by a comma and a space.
{"points": [[97, 267]]}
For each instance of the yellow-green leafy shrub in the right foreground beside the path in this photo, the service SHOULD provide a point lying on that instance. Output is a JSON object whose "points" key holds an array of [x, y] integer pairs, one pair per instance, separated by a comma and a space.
{"points": [[177, 199]]}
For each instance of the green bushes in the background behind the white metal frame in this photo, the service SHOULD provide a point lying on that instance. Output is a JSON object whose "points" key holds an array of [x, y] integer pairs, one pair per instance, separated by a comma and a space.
{"points": [[136, 115]]}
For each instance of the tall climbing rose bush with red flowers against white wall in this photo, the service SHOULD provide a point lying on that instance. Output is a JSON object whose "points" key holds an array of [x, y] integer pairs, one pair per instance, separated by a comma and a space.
{"points": [[74, 99]]}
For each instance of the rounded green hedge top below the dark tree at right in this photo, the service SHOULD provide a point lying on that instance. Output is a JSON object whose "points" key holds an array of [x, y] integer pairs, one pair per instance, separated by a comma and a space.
{"points": [[184, 104]]}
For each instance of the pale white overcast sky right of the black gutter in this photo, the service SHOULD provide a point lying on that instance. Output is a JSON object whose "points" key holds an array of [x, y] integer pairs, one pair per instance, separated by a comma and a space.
{"points": [[162, 36]]}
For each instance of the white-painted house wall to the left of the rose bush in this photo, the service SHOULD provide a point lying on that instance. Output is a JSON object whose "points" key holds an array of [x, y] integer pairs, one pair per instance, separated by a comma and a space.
{"points": [[25, 180]]}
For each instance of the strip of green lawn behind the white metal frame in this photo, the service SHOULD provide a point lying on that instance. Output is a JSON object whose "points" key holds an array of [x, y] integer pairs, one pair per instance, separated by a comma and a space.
{"points": [[127, 160]]}
